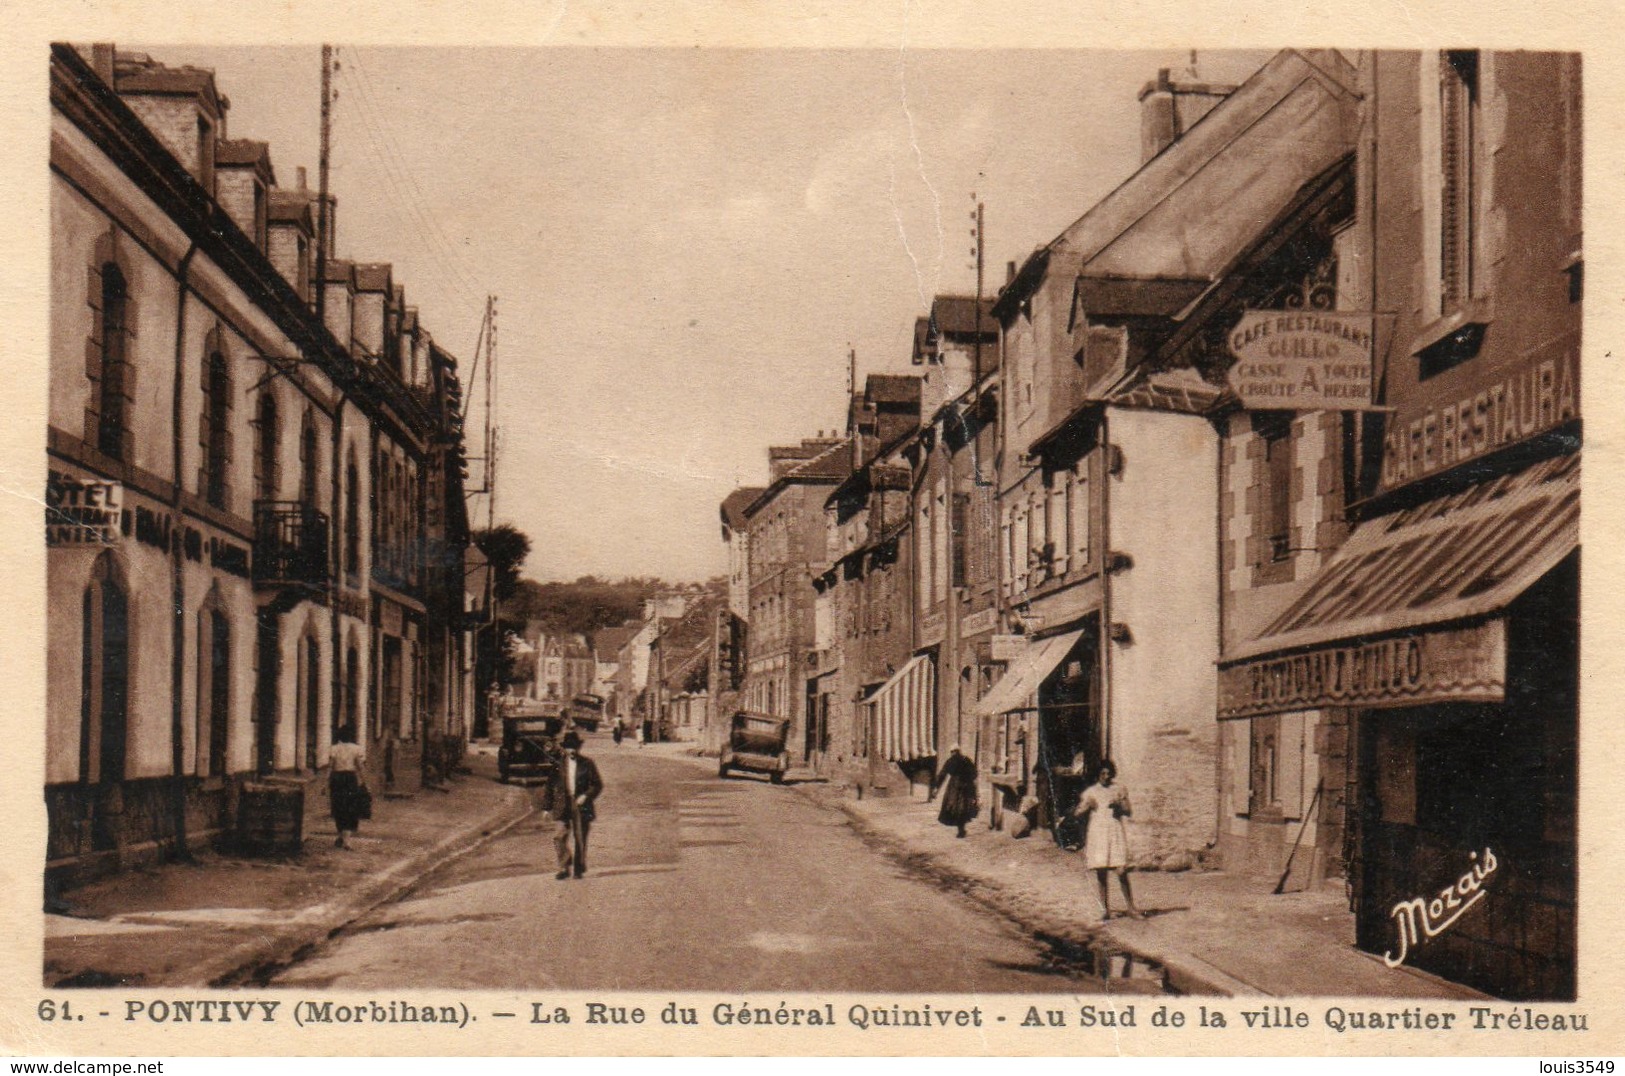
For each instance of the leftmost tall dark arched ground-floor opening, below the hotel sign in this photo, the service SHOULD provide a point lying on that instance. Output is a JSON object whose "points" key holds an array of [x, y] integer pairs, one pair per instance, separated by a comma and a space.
{"points": [[106, 675]]}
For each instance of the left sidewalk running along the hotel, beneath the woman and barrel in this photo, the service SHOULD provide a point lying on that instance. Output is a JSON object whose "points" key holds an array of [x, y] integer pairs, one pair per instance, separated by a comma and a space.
{"points": [[217, 921]]}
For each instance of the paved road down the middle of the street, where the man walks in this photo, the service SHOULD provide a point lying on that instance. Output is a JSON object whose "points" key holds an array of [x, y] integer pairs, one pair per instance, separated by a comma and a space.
{"points": [[696, 883]]}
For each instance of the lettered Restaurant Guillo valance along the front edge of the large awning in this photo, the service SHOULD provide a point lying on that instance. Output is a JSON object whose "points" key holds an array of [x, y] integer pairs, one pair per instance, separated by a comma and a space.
{"points": [[1452, 666]]}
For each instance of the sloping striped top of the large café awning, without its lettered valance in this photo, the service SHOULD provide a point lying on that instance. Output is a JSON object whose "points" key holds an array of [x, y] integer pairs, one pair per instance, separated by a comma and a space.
{"points": [[1449, 560]]}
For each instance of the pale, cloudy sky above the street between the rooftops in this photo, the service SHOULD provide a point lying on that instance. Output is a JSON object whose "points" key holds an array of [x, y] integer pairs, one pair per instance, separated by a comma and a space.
{"points": [[685, 243]]}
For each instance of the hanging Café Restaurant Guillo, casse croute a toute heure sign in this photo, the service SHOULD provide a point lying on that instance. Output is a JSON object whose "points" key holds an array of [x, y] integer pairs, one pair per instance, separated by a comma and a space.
{"points": [[1302, 360]]}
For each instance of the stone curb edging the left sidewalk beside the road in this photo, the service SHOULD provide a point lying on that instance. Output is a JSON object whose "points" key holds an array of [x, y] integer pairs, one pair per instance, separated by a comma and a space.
{"points": [[238, 963]]}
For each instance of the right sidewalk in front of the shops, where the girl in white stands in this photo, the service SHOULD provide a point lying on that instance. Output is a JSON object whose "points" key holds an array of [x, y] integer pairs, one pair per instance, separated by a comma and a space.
{"points": [[1211, 932]]}
